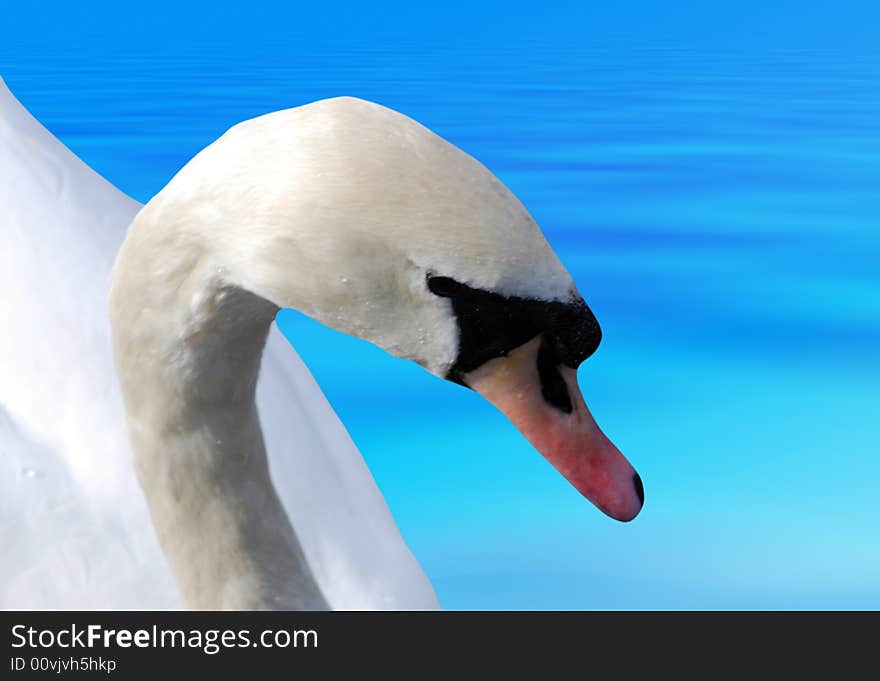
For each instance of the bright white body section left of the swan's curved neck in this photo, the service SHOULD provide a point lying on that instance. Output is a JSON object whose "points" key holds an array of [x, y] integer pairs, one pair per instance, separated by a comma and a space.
{"points": [[73, 525]]}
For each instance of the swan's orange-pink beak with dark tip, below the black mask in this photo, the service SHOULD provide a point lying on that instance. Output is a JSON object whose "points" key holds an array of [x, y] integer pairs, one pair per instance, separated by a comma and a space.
{"points": [[563, 430]]}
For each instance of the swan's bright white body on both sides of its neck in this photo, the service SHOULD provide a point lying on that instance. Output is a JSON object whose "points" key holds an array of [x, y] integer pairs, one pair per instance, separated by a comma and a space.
{"points": [[73, 523]]}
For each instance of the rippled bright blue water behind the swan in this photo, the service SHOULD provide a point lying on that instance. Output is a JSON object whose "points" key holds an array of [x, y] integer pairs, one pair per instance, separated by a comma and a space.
{"points": [[712, 182]]}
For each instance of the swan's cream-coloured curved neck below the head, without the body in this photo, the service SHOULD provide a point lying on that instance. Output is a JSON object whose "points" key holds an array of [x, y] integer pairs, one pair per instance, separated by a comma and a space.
{"points": [[188, 357]]}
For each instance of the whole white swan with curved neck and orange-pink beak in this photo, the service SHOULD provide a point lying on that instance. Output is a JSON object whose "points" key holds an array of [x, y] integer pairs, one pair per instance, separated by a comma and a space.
{"points": [[182, 454]]}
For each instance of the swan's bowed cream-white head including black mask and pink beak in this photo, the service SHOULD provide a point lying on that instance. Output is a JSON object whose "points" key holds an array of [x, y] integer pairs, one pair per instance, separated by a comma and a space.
{"points": [[372, 224]]}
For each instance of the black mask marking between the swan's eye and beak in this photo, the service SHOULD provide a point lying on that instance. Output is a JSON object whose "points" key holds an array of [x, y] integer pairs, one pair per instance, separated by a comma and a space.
{"points": [[491, 325]]}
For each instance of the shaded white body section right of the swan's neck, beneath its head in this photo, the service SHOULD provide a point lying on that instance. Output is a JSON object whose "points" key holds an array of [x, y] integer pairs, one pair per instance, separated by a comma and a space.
{"points": [[347, 532]]}
